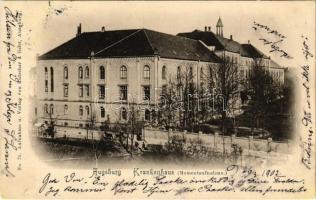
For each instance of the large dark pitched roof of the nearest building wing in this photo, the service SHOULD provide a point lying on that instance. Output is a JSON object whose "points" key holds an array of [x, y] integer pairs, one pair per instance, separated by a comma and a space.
{"points": [[126, 43]]}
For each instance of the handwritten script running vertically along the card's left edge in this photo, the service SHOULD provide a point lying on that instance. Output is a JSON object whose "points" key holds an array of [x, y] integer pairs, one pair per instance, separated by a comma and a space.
{"points": [[11, 129]]}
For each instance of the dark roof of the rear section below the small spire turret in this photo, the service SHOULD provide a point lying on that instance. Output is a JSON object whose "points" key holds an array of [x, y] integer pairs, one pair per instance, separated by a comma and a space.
{"points": [[211, 39]]}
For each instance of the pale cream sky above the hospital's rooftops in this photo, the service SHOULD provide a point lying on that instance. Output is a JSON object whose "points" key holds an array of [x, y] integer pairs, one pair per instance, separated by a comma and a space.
{"points": [[49, 28]]}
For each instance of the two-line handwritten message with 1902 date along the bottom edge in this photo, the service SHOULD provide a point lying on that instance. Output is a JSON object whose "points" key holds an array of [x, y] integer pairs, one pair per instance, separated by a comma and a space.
{"points": [[234, 179]]}
